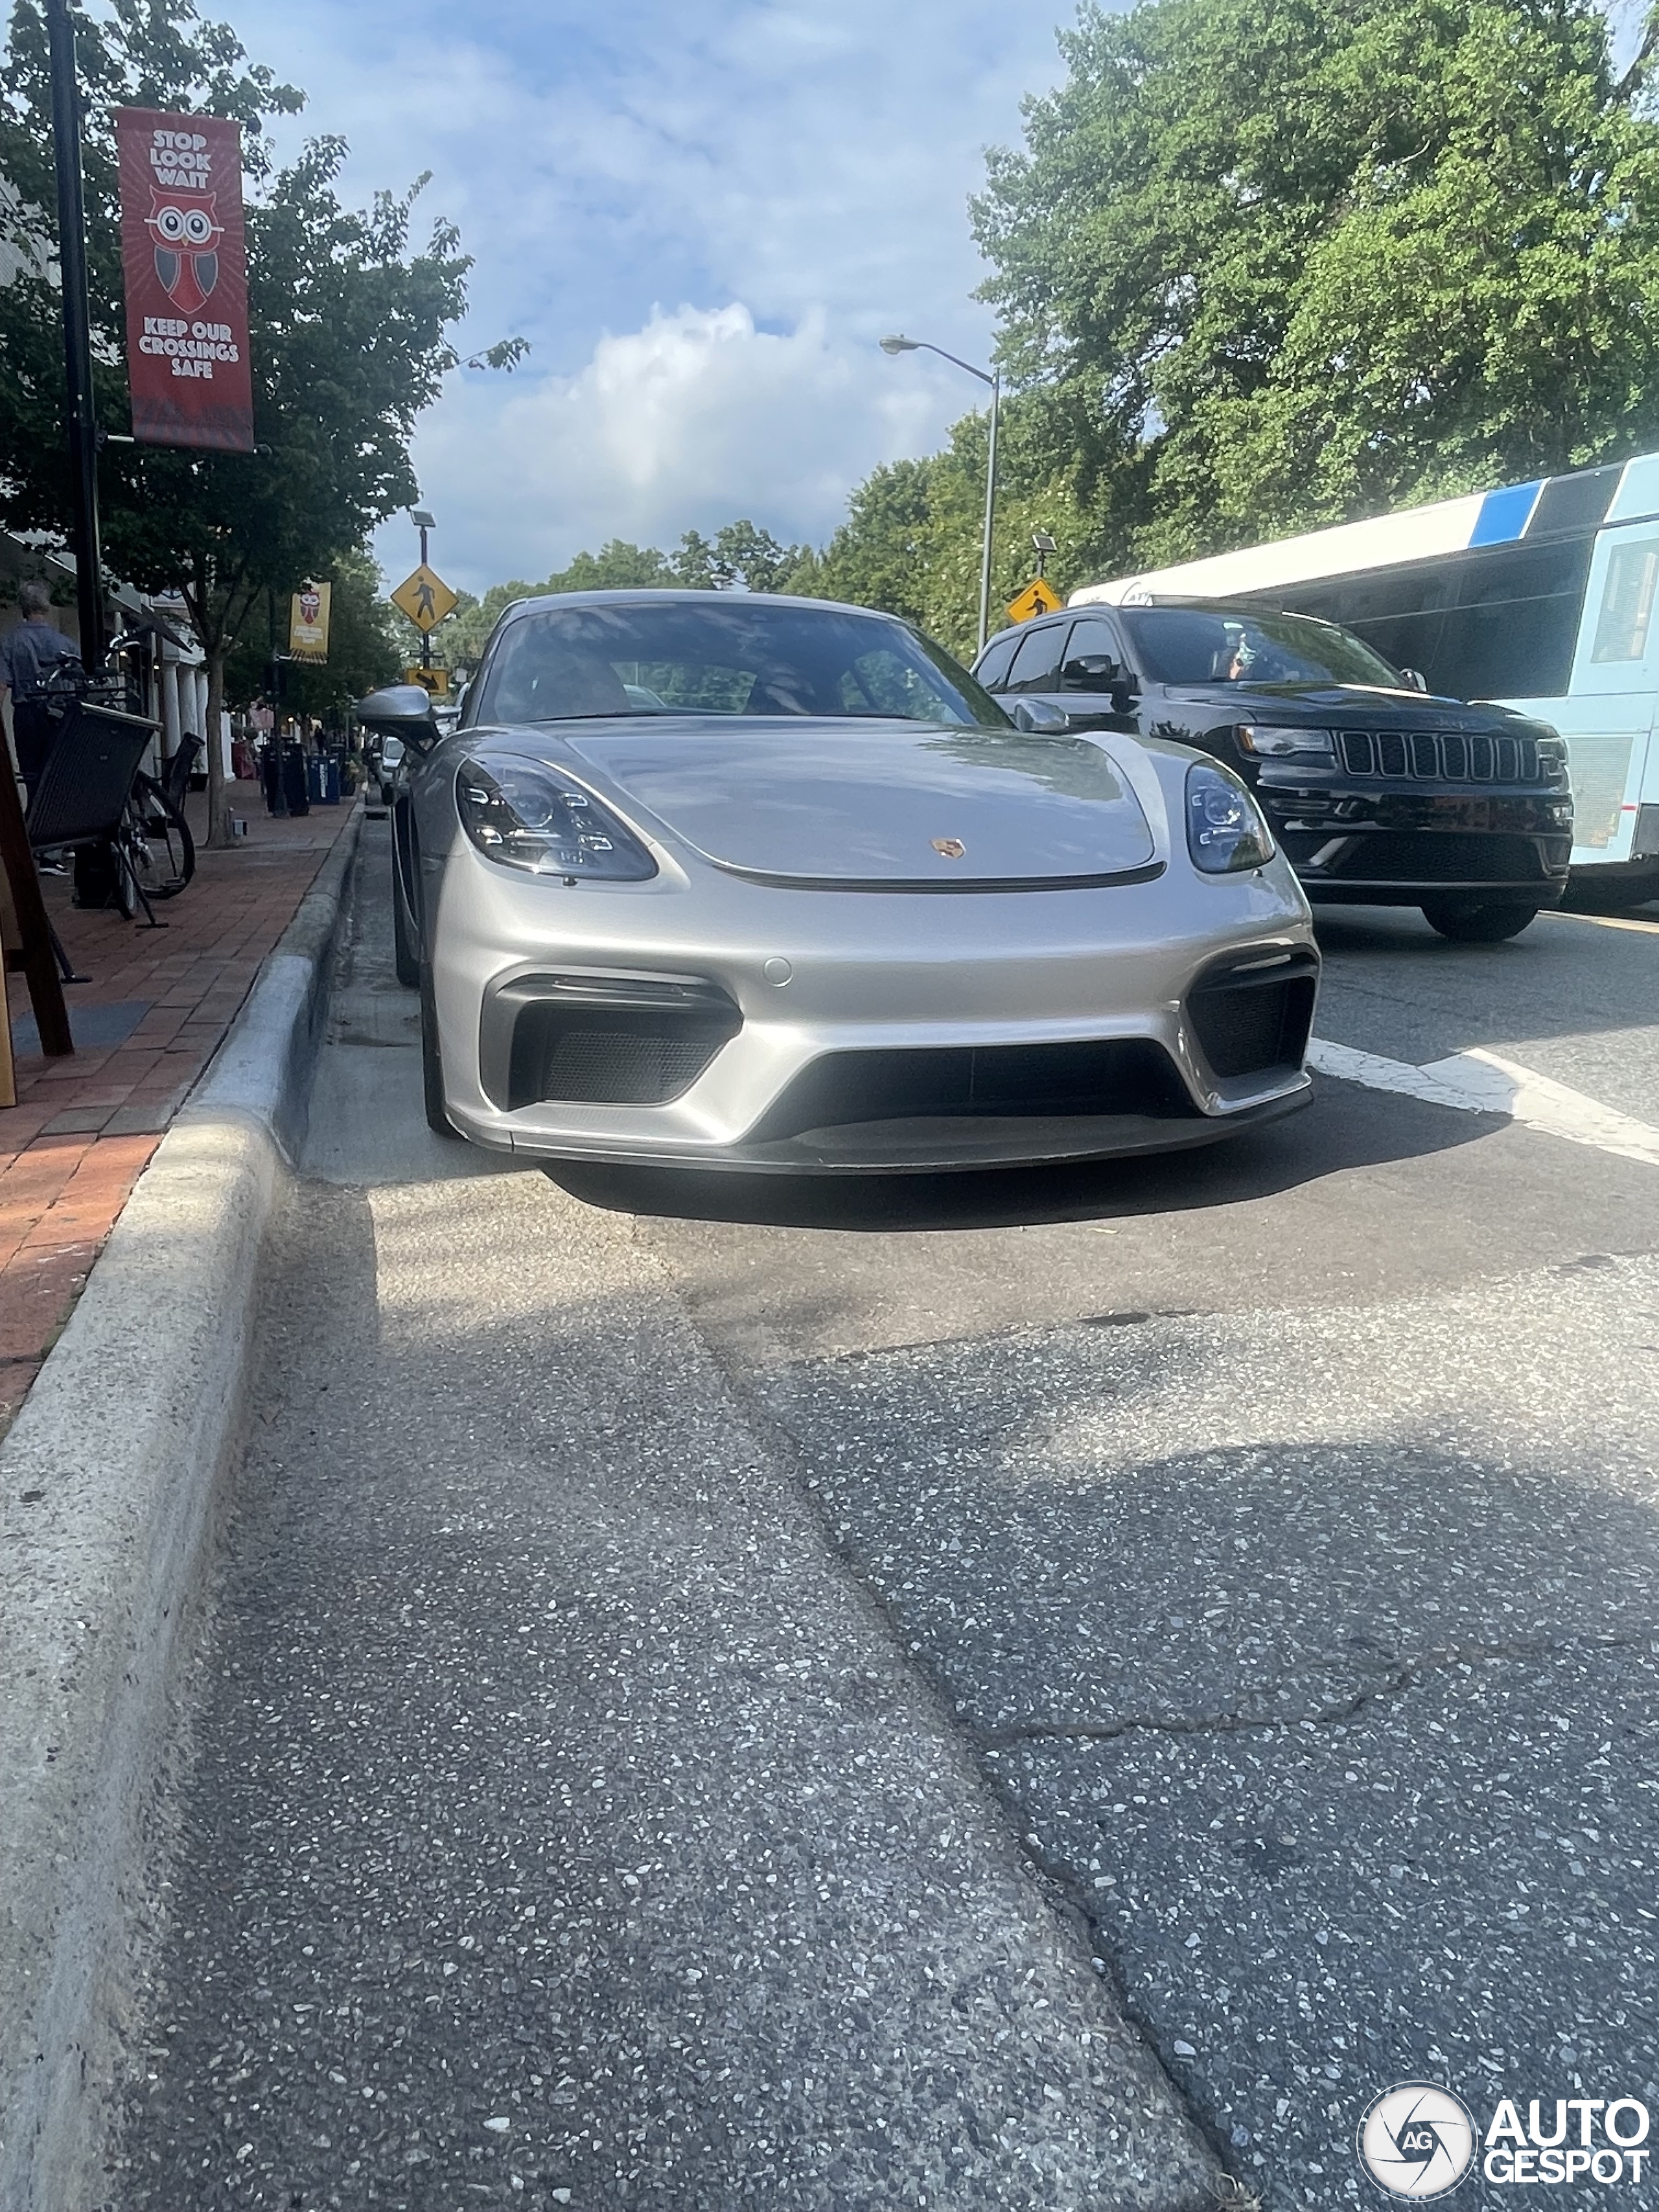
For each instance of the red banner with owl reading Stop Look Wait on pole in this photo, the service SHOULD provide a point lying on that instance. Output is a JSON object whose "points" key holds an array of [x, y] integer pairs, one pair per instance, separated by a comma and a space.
{"points": [[187, 280]]}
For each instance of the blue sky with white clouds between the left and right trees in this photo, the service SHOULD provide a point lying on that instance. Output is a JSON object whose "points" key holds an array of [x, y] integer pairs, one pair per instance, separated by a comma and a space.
{"points": [[702, 218]]}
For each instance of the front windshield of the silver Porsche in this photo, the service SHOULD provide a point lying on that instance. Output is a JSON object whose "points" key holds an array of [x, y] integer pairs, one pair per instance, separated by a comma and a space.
{"points": [[722, 658]]}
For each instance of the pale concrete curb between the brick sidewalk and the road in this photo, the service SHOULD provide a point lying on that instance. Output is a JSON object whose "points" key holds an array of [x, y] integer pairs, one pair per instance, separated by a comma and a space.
{"points": [[109, 1492]]}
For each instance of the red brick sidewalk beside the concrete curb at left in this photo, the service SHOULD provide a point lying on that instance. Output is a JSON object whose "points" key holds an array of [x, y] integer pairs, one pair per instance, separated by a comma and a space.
{"points": [[145, 1027]]}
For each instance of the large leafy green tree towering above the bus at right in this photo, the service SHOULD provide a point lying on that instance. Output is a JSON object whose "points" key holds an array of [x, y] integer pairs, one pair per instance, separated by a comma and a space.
{"points": [[1288, 262]]}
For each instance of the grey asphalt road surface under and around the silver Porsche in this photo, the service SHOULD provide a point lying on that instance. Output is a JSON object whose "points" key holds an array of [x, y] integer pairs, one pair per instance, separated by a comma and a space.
{"points": [[974, 1693]]}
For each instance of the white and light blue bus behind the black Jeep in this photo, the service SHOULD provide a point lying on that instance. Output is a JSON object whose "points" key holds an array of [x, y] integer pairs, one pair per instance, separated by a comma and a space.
{"points": [[1541, 596]]}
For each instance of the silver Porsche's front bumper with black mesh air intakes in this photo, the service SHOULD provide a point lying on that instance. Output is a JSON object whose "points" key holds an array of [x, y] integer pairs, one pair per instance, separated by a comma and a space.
{"points": [[811, 1032]]}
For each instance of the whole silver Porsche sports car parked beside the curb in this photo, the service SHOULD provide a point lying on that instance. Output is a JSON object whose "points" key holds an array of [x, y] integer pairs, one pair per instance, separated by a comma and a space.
{"points": [[773, 884]]}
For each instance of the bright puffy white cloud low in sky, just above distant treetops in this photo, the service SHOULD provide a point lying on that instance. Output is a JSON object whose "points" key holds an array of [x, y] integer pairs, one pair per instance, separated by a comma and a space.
{"points": [[689, 424]]}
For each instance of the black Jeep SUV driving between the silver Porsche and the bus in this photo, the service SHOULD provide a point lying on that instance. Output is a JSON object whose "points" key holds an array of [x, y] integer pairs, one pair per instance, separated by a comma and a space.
{"points": [[1377, 793]]}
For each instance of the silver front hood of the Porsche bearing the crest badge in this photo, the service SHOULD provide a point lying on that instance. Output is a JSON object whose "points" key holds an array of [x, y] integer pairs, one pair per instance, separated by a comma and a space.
{"points": [[868, 804]]}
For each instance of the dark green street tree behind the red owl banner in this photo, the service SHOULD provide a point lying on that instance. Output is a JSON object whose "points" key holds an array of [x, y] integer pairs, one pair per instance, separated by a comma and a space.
{"points": [[348, 337]]}
